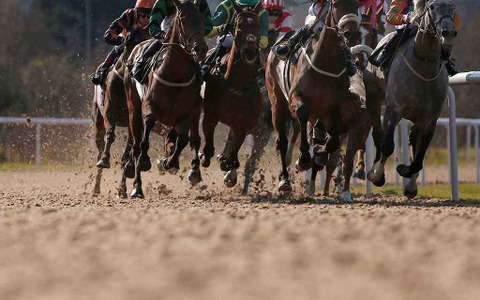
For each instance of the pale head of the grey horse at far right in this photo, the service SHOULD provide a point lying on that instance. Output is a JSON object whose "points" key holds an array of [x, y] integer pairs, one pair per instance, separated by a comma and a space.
{"points": [[437, 18]]}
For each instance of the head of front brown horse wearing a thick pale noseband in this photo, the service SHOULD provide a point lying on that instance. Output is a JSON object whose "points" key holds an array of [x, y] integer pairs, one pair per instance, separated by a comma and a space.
{"points": [[344, 14]]}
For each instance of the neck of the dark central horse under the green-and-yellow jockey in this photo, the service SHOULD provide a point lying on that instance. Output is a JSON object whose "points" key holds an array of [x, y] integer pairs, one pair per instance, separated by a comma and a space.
{"points": [[237, 69]]}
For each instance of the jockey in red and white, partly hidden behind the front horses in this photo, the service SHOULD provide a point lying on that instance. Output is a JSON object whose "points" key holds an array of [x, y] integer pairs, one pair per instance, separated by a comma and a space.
{"points": [[278, 18]]}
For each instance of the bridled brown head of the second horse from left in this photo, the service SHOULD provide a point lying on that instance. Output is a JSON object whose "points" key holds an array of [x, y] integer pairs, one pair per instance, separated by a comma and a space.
{"points": [[189, 30]]}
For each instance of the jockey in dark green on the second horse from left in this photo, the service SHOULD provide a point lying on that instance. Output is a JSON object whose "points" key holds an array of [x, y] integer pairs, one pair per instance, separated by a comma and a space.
{"points": [[163, 13]]}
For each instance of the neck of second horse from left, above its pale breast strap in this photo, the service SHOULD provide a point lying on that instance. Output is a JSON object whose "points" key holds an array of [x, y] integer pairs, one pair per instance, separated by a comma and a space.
{"points": [[175, 56]]}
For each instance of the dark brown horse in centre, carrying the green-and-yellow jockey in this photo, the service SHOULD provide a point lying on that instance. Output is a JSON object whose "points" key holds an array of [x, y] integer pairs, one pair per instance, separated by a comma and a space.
{"points": [[234, 98]]}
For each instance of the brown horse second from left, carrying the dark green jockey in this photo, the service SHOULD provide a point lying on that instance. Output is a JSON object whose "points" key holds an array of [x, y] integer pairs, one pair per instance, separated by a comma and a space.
{"points": [[173, 95]]}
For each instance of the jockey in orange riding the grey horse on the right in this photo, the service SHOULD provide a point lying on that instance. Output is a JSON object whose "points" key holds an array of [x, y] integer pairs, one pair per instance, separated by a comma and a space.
{"points": [[399, 15]]}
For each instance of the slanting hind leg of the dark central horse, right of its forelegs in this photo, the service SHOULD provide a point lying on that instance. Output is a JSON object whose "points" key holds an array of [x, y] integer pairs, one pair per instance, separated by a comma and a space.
{"points": [[260, 140]]}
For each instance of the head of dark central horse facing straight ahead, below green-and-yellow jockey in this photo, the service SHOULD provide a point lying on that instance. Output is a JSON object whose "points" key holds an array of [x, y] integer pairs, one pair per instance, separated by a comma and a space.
{"points": [[247, 32]]}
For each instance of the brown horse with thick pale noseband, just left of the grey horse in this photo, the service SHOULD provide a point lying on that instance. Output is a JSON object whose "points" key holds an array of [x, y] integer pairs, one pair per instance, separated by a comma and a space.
{"points": [[320, 89]]}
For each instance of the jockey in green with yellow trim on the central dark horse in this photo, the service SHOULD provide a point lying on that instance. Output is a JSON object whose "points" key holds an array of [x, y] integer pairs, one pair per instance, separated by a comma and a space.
{"points": [[222, 24]]}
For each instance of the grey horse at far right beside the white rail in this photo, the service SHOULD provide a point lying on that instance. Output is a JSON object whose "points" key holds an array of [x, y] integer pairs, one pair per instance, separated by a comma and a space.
{"points": [[416, 87]]}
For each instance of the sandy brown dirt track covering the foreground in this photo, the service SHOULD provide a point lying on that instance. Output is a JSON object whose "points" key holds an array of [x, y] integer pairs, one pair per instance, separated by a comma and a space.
{"points": [[57, 242]]}
